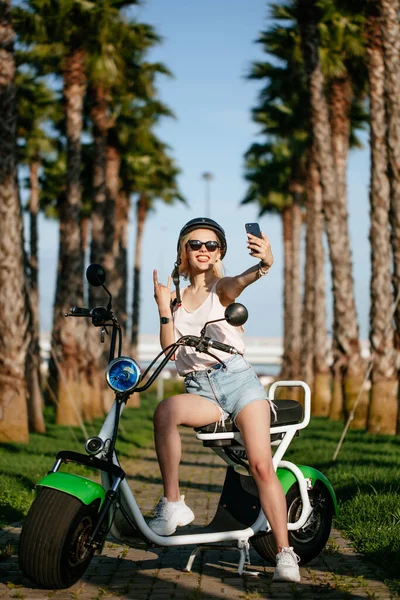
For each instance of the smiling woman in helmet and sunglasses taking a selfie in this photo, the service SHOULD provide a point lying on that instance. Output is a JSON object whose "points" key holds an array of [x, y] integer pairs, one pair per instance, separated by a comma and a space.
{"points": [[213, 393]]}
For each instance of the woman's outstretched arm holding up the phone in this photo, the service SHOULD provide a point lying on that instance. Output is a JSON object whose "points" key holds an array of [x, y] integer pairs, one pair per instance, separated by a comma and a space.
{"points": [[229, 288]]}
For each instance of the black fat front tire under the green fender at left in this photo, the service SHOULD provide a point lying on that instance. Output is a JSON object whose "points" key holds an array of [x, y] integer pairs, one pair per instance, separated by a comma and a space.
{"points": [[52, 539]]}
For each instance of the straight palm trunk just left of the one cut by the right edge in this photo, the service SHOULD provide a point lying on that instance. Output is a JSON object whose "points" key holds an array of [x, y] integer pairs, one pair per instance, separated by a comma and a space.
{"points": [[384, 406]]}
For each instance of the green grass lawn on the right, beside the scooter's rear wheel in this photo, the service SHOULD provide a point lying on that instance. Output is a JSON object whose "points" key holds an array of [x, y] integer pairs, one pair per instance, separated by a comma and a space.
{"points": [[366, 479]]}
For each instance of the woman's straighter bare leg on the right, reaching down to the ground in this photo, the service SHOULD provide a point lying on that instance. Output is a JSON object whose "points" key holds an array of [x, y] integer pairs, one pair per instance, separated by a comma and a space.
{"points": [[254, 424]]}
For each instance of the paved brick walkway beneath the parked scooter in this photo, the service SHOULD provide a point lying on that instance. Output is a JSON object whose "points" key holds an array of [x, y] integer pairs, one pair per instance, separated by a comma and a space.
{"points": [[157, 574]]}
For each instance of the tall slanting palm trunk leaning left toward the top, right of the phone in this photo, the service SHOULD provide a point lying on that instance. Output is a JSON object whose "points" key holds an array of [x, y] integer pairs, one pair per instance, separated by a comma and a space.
{"points": [[346, 347]]}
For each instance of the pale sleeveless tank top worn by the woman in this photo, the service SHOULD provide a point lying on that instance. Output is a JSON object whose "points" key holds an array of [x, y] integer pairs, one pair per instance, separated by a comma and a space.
{"points": [[191, 323]]}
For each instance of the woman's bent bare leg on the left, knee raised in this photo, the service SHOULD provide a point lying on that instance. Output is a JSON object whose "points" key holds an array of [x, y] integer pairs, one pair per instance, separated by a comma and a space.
{"points": [[182, 409]]}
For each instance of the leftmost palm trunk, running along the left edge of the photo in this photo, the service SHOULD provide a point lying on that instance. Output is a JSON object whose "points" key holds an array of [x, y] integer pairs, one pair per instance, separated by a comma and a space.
{"points": [[13, 318]]}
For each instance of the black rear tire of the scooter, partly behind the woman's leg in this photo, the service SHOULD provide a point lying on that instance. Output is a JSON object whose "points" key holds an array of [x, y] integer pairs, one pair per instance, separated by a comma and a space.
{"points": [[309, 541]]}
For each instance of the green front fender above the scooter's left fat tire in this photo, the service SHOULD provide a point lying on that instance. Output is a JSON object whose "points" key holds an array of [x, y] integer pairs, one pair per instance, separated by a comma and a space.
{"points": [[86, 490]]}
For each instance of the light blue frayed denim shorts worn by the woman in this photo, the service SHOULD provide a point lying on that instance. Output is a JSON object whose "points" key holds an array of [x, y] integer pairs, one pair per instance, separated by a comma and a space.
{"points": [[230, 387]]}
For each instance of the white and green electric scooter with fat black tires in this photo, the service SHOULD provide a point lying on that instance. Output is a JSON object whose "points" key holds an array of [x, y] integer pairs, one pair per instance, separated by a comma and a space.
{"points": [[72, 515]]}
